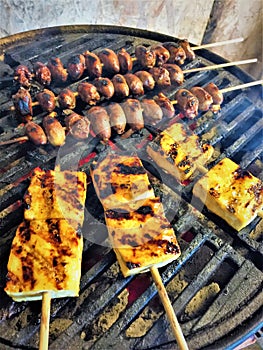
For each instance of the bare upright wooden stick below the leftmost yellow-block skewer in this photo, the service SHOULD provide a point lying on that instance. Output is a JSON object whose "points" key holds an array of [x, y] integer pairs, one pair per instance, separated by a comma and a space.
{"points": [[45, 318]]}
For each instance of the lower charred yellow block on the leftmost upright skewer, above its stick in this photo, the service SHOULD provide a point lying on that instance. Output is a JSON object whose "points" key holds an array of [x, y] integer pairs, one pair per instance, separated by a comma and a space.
{"points": [[45, 256]]}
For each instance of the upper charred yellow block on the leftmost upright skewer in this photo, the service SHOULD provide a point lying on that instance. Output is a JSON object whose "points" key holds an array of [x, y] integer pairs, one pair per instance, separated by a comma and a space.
{"points": [[56, 194]]}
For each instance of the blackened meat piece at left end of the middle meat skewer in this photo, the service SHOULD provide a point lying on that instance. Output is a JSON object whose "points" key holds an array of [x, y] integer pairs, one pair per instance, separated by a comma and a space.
{"points": [[23, 104]]}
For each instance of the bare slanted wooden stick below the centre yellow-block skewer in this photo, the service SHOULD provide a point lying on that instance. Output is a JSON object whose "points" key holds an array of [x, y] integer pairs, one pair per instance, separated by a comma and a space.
{"points": [[176, 328]]}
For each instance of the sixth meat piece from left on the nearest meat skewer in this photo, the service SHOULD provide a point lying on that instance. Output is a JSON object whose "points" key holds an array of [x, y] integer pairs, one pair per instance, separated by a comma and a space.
{"points": [[133, 113]]}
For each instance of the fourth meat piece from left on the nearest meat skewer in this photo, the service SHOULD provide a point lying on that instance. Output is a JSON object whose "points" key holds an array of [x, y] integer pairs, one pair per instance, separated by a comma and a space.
{"points": [[100, 122]]}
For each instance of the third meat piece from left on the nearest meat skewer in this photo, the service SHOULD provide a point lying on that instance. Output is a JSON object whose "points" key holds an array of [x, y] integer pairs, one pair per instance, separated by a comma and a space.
{"points": [[78, 126]]}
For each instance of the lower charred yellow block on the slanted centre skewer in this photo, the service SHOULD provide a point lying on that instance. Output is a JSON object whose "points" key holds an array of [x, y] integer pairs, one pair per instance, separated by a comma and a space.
{"points": [[142, 238]]}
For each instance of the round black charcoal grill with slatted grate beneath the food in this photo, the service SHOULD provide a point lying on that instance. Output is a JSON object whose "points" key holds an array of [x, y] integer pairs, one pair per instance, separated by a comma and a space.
{"points": [[109, 306]]}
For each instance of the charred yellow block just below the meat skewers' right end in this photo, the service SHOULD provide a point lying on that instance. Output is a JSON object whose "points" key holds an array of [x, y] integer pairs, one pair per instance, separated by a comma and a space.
{"points": [[179, 152]]}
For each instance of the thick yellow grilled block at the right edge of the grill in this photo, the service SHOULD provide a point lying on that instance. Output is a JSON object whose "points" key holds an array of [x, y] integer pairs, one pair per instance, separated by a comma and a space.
{"points": [[230, 192]]}
